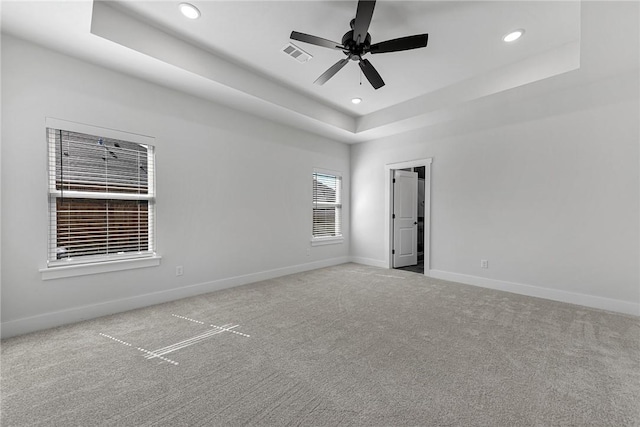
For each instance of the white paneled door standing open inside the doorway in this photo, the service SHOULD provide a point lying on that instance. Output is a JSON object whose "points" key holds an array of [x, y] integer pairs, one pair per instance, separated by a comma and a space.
{"points": [[405, 218]]}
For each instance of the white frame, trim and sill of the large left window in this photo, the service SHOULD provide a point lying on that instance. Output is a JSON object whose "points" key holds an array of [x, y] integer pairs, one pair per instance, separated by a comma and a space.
{"points": [[103, 262]]}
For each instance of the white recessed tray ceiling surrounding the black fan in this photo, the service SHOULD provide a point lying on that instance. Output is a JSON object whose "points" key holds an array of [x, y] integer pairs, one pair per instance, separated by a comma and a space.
{"points": [[232, 53]]}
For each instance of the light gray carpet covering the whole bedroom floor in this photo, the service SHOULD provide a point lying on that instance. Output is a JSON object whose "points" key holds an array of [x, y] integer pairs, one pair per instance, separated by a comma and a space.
{"points": [[346, 345]]}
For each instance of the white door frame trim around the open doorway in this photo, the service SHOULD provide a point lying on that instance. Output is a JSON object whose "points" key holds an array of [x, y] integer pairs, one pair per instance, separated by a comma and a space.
{"points": [[388, 203]]}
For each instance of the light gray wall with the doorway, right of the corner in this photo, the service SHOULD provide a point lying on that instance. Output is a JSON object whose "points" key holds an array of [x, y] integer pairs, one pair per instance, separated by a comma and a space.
{"points": [[542, 181]]}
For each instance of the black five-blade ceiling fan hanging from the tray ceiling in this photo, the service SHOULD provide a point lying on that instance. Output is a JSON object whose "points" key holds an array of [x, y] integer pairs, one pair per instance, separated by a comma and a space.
{"points": [[357, 42]]}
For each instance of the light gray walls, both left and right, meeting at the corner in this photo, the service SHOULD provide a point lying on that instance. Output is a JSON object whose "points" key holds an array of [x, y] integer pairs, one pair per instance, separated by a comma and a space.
{"points": [[541, 180]]}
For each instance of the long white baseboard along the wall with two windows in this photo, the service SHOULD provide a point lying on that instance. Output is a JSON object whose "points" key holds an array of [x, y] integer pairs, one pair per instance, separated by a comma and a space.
{"points": [[77, 314]]}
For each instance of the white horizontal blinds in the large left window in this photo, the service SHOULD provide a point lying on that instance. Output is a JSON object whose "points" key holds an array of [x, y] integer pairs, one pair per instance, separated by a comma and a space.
{"points": [[101, 198]]}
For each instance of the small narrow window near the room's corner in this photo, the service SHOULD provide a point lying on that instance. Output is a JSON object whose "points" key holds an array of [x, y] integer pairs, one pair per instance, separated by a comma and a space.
{"points": [[327, 207]]}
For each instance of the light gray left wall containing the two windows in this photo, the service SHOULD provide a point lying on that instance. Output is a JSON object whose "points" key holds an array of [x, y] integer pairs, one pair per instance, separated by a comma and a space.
{"points": [[233, 190]]}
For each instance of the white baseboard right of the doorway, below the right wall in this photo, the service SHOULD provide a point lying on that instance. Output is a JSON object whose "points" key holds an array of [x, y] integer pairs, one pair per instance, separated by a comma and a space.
{"points": [[602, 303]]}
